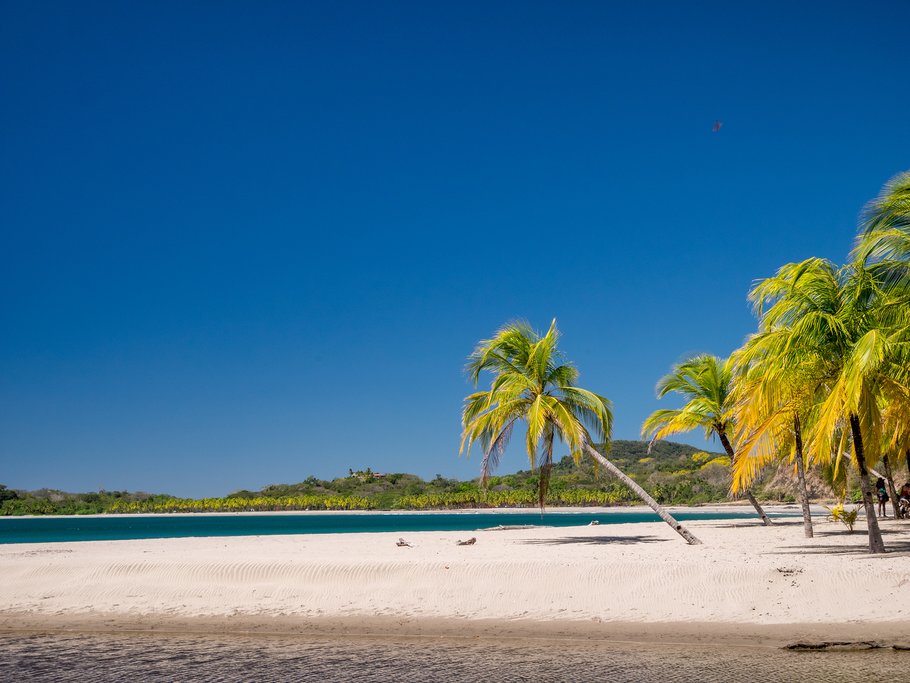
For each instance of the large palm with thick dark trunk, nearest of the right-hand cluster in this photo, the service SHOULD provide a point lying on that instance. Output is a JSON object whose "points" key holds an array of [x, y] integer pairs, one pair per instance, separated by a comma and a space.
{"points": [[851, 341]]}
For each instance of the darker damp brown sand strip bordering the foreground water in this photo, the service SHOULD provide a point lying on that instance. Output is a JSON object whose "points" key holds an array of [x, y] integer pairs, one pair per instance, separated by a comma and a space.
{"points": [[703, 634]]}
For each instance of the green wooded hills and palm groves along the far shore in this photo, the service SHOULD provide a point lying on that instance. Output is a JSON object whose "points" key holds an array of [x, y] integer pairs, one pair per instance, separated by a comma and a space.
{"points": [[673, 473]]}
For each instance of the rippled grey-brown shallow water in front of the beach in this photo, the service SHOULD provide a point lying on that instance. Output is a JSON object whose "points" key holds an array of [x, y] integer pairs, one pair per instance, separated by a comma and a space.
{"points": [[145, 657]]}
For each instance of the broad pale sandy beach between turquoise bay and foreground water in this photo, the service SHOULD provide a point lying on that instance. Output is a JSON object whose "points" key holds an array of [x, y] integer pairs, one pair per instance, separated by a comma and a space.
{"points": [[747, 584]]}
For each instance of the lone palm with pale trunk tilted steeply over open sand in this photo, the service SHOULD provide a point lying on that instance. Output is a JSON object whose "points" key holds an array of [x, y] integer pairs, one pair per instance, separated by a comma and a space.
{"points": [[534, 384]]}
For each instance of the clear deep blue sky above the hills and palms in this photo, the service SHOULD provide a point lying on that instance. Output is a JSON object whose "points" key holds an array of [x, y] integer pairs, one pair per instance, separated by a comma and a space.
{"points": [[243, 243]]}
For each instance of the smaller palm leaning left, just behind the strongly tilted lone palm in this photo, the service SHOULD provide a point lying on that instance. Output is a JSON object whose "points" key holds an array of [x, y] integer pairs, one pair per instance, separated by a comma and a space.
{"points": [[705, 381]]}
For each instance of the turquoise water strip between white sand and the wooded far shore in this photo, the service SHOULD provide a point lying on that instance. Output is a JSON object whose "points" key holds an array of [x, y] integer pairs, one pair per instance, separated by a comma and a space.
{"points": [[103, 528]]}
